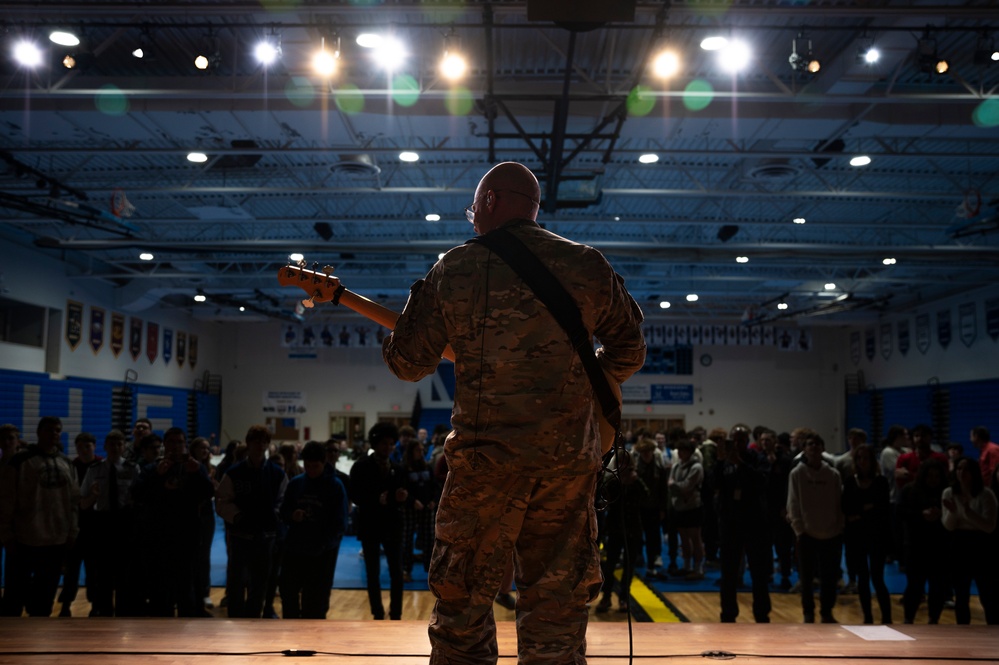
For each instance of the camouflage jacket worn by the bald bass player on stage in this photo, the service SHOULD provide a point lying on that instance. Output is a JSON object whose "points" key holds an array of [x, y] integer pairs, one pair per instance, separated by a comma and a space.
{"points": [[522, 398]]}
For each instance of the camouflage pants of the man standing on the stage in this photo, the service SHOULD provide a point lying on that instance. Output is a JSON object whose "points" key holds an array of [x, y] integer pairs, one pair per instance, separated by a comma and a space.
{"points": [[549, 527]]}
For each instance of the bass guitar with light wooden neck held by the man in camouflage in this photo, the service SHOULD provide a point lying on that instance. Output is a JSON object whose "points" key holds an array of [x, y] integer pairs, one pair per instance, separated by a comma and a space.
{"points": [[323, 286]]}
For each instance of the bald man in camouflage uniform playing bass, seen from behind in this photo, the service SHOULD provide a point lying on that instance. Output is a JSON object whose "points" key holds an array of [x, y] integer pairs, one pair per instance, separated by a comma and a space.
{"points": [[524, 452]]}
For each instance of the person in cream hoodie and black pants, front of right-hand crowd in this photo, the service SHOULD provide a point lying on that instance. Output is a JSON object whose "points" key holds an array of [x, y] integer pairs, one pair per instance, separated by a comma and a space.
{"points": [[814, 509]]}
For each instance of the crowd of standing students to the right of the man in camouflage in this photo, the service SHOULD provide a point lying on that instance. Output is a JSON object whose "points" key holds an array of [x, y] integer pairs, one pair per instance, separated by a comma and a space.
{"points": [[772, 504]]}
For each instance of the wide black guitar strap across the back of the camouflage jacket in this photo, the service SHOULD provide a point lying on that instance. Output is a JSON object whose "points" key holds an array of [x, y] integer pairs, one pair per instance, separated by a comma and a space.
{"points": [[562, 307]]}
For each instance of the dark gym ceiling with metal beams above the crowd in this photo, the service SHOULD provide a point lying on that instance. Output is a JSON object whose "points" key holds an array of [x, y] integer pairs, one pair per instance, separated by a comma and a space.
{"points": [[297, 163]]}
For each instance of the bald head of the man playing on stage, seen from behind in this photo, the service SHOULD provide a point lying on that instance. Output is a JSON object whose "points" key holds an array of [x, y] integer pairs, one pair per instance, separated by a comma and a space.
{"points": [[508, 191]]}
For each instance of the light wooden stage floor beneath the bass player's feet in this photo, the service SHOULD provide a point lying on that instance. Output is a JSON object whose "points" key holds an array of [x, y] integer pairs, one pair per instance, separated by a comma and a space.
{"points": [[26, 641]]}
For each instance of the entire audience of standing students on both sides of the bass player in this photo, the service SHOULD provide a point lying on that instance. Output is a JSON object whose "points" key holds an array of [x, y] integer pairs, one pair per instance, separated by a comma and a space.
{"points": [[142, 519]]}
